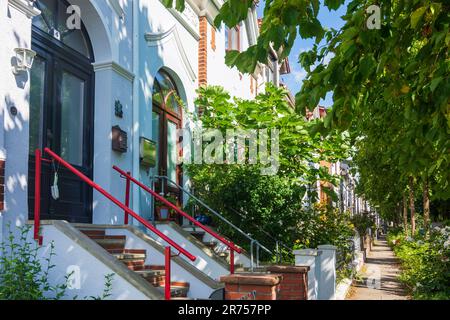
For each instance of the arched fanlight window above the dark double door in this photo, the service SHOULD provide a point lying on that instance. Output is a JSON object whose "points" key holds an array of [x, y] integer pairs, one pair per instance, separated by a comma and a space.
{"points": [[53, 20]]}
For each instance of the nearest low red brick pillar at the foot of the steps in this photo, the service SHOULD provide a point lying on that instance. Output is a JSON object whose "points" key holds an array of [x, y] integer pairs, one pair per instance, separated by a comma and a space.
{"points": [[251, 286]]}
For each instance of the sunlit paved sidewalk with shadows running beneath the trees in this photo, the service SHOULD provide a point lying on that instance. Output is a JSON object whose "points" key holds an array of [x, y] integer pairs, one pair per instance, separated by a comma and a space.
{"points": [[379, 276]]}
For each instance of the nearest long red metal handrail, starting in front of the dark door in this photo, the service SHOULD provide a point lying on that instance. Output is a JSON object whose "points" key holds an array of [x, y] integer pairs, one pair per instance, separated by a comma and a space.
{"points": [[104, 193]]}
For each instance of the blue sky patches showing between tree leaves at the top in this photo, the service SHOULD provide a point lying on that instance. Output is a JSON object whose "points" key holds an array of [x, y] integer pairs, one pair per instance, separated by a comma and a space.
{"points": [[294, 80]]}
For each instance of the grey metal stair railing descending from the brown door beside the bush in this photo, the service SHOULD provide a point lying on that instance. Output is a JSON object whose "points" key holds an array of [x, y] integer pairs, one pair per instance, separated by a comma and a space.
{"points": [[253, 242]]}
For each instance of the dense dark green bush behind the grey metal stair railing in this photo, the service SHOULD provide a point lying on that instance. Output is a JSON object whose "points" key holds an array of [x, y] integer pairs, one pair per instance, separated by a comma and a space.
{"points": [[270, 202]]}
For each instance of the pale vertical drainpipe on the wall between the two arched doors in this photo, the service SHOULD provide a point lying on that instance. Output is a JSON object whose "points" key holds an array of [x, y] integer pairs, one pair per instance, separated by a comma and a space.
{"points": [[135, 128]]}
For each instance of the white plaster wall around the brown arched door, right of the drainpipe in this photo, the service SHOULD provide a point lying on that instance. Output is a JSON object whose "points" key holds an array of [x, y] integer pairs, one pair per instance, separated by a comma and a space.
{"points": [[165, 53]]}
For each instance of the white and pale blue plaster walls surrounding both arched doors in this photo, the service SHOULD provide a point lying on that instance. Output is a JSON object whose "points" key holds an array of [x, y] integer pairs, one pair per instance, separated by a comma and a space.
{"points": [[112, 40]]}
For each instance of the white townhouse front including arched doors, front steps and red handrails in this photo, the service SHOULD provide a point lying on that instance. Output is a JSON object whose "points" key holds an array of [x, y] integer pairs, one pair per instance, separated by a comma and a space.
{"points": [[105, 83]]}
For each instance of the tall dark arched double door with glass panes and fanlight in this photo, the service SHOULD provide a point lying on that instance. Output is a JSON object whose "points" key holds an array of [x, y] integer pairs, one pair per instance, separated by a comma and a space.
{"points": [[62, 110]]}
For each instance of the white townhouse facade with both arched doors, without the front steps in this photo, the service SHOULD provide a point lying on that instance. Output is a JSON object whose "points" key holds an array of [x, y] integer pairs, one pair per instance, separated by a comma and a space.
{"points": [[115, 75]]}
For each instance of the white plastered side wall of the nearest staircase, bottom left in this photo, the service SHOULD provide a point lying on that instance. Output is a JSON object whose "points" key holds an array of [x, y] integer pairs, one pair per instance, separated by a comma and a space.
{"points": [[90, 271]]}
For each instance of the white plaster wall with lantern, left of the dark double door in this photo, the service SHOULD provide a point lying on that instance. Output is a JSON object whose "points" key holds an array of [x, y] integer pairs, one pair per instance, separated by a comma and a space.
{"points": [[14, 91]]}
